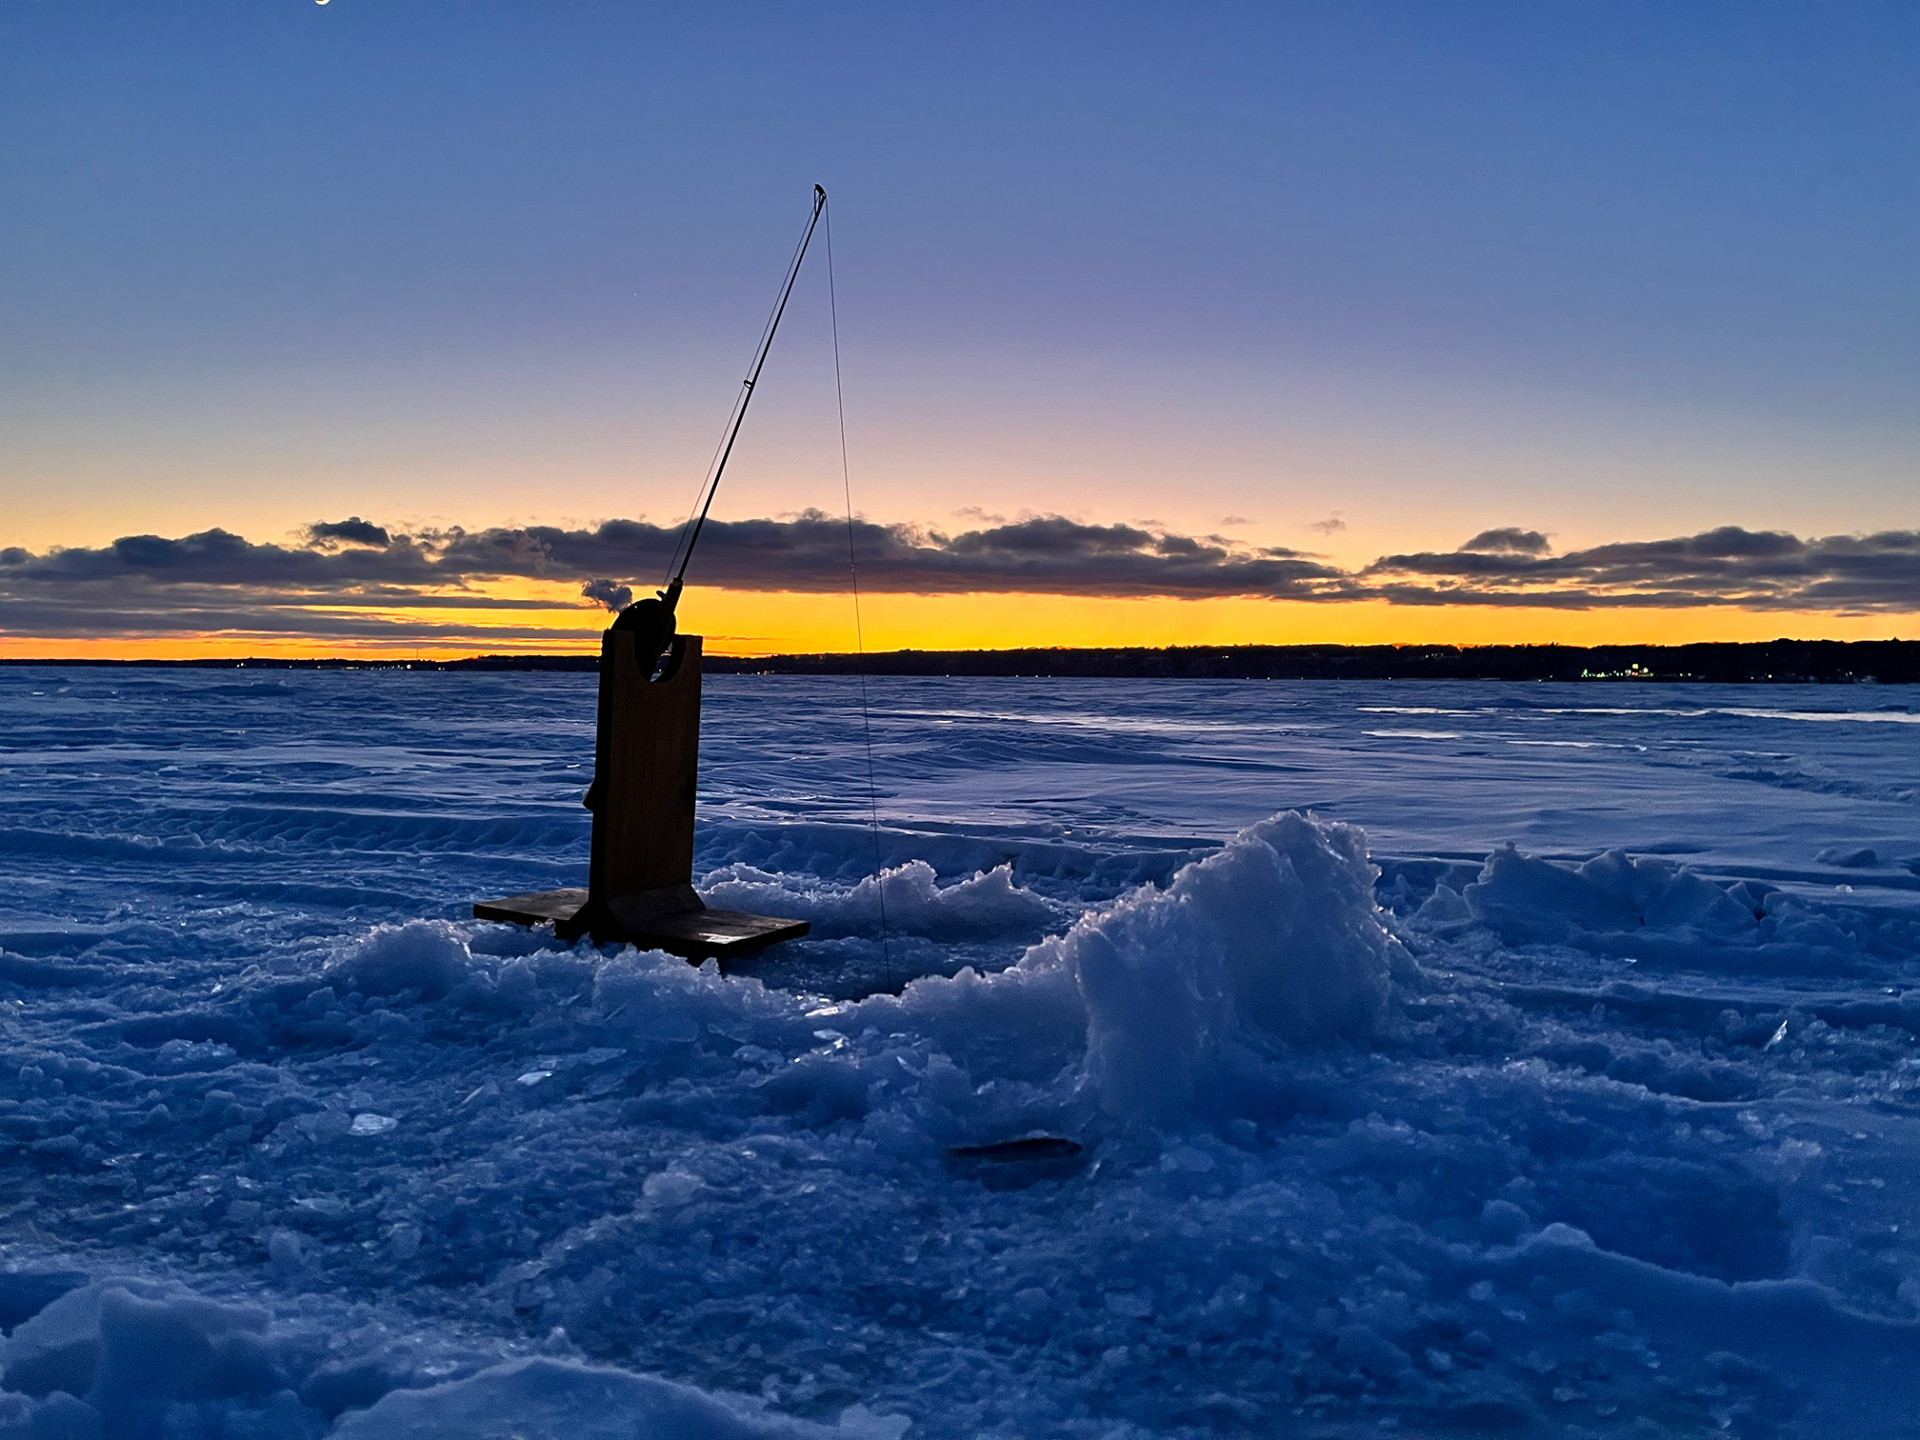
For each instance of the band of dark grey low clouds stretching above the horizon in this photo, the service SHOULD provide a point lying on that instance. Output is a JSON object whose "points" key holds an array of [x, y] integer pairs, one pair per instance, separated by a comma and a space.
{"points": [[354, 579]]}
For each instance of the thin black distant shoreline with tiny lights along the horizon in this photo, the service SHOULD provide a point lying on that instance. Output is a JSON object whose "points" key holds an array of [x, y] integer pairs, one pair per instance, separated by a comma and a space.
{"points": [[1775, 661]]}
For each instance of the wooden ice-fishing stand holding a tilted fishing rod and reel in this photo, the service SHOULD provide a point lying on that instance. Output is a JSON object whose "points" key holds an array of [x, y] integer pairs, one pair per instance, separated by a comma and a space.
{"points": [[646, 761]]}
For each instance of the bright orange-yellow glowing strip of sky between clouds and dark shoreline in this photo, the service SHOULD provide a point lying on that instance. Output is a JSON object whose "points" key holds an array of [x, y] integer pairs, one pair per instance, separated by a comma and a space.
{"points": [[757, 623]]}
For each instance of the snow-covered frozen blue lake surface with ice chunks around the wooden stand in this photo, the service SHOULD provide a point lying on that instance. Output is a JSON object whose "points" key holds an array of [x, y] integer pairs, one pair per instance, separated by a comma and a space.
{"points": [[1593, 1115]]}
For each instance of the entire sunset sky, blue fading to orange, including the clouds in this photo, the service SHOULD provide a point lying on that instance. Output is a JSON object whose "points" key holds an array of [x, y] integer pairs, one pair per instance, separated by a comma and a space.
{"points": [[393, 325]]}
